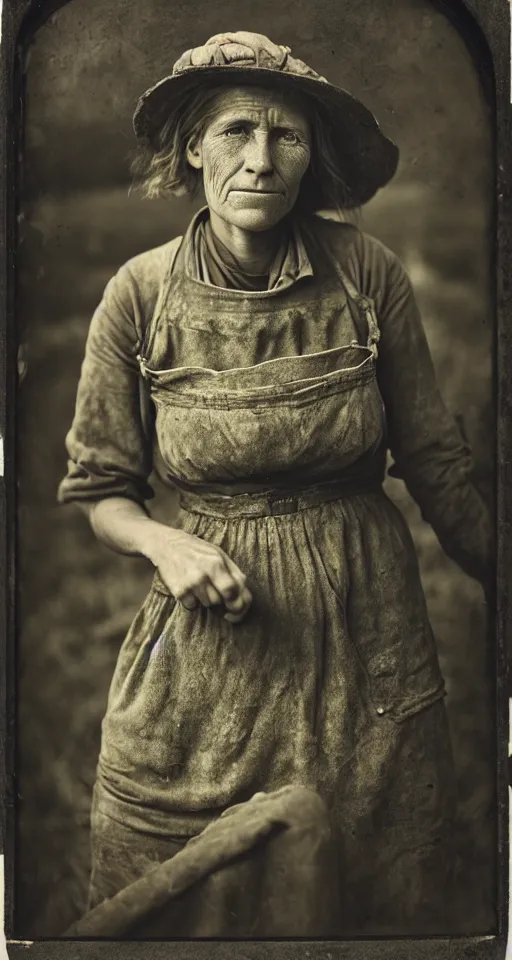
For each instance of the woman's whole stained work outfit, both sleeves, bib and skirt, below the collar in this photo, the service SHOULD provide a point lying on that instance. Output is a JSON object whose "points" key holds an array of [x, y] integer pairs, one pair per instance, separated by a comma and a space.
{"points": [[332, 680]]}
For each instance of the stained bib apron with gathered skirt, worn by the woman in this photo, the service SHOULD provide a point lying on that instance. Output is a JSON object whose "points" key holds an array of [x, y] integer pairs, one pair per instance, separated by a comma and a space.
{"points": [[332, 679]]}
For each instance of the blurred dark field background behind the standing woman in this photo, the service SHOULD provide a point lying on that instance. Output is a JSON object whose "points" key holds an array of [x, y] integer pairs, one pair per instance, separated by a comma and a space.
{"points": [[78, 224]]}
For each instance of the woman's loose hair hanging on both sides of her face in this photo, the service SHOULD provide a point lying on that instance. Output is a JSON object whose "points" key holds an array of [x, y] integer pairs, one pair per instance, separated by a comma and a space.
{"points": [[162, 170]]}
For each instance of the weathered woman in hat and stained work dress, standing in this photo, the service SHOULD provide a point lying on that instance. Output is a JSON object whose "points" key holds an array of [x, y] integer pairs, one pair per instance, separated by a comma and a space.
{"points": [[285, 638]]}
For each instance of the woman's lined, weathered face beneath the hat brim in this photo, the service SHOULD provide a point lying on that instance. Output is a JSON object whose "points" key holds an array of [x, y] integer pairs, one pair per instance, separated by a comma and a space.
{"points": [[253, 154]]}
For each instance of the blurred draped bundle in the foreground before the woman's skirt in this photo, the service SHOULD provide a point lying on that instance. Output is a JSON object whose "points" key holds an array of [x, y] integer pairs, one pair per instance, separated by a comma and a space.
{"points": [[265, 868]]}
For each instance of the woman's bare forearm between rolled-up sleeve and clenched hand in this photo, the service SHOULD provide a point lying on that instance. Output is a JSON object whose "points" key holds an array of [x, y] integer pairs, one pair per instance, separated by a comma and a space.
{"points": [[124, 526]]}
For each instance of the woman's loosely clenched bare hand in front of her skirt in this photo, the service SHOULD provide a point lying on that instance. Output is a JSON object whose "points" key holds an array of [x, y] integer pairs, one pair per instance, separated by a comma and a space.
{"points": [[197, 572]]}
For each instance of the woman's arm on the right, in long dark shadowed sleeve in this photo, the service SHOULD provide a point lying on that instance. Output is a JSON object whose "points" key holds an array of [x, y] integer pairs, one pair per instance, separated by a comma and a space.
{"points": [[429, 453]]}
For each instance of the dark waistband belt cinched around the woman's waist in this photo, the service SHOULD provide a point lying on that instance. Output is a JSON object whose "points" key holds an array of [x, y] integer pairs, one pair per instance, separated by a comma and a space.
{"points": [[277, 502]]}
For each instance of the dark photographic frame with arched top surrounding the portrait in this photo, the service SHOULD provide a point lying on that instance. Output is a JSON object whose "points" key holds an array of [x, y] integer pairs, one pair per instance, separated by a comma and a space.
{"points": [[485, 27]]}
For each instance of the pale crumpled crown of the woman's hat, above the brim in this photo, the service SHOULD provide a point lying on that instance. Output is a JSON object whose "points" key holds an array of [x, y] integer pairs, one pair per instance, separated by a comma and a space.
{"points": [[243, 49]]}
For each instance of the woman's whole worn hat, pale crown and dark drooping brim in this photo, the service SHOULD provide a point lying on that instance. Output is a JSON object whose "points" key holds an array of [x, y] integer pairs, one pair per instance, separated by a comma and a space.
{"points": [[368, 159]]}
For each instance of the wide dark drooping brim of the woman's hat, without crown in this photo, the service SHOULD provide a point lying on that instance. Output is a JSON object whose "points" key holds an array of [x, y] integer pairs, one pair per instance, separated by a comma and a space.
{"points": [[368, 159]]}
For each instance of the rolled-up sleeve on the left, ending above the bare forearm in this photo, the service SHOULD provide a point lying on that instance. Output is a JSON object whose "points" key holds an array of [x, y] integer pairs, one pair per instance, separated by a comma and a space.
{"points": [[109, 452]]}
